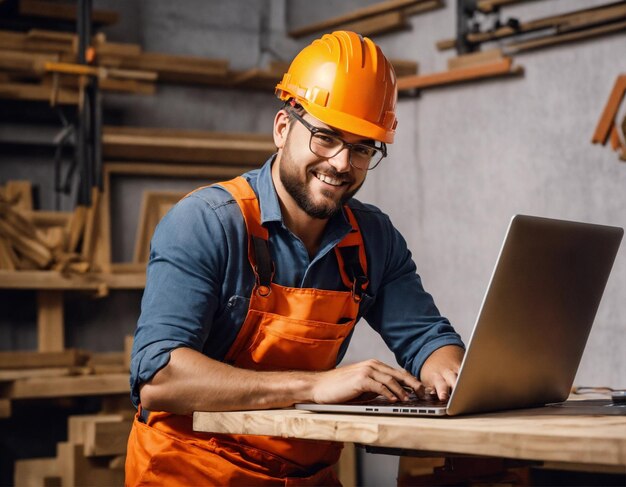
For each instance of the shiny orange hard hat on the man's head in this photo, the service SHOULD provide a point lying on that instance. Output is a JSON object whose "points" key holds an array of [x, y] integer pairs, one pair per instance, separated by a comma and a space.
{"points": [[345, 81]]}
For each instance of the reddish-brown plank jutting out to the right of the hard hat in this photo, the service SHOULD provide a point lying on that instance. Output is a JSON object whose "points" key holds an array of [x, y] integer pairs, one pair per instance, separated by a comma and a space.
{"points": [[470, 73]]}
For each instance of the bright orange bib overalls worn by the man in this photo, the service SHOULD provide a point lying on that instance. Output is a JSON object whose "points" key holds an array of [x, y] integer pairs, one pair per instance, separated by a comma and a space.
{"points": [[285, 329]]}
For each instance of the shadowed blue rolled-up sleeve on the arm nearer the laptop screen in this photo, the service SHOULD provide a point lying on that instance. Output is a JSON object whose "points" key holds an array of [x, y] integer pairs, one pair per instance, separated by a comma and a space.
{"points": [[403, 313]]}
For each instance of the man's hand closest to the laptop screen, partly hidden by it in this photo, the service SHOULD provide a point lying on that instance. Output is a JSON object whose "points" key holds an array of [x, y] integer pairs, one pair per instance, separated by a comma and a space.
{"points": [[440, 370]]}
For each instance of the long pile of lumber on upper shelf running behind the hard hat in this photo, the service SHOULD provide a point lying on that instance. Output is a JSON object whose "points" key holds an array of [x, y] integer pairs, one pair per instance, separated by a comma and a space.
{"points": [[41, 65]]}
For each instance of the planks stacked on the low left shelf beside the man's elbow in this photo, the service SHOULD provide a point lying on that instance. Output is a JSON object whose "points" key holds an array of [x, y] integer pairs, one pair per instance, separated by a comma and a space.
{"points": [[62, 374]]}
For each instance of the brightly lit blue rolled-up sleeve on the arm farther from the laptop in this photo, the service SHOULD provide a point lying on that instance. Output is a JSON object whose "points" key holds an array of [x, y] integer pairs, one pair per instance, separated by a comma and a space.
{"points": [[184, 275]]}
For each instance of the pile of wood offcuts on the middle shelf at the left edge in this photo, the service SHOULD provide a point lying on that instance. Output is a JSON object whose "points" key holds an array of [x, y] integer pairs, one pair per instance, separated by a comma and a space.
{"points": [[32, 240]]}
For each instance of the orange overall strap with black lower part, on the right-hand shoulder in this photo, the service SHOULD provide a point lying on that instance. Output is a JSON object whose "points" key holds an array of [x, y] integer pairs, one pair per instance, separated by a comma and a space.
{"points": [[352, 259]]}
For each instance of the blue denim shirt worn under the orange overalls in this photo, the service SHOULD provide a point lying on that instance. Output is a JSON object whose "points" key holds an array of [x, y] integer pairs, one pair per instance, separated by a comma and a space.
{"points": [[199, 279]]}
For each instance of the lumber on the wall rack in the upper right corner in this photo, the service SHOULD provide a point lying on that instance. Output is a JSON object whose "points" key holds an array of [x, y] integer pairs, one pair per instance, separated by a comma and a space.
{"points": [[547, 31]]}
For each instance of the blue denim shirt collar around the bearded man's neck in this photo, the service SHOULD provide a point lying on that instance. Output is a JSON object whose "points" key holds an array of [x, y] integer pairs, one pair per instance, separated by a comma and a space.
{"points": [[270, 207]]}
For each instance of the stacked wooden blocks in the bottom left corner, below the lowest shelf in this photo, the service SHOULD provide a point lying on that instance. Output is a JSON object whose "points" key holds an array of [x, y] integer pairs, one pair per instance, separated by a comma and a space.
{"points": [[94, 455]]}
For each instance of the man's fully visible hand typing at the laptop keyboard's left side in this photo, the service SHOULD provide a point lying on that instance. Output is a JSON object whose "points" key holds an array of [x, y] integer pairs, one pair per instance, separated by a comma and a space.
{"points": [[370, 376]]}
